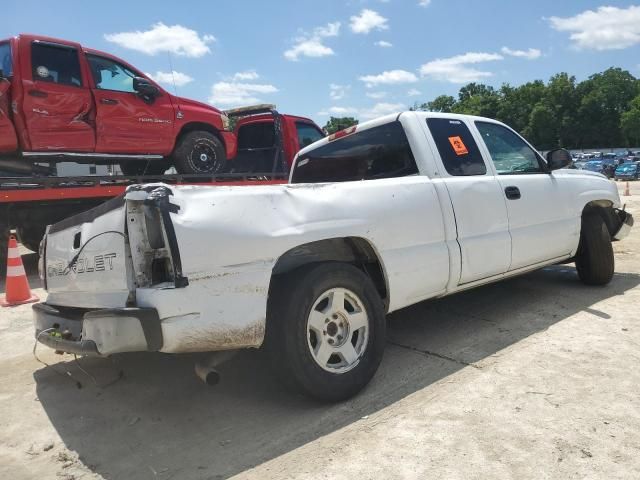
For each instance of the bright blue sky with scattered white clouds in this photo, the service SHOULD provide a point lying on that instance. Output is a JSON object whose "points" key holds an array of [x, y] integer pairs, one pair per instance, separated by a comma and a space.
{"points": [[354, 57]]}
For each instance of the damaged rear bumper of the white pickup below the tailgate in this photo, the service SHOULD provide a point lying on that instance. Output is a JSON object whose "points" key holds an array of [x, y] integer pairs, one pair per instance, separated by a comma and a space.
{"points": [[97, 332]]}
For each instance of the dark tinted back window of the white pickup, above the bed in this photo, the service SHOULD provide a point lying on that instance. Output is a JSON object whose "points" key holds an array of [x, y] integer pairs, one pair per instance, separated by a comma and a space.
{"points": [[378, 152]]}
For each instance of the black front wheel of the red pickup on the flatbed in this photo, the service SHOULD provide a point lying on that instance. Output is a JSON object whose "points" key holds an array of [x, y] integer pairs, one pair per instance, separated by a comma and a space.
{"points": [[199, 152]]}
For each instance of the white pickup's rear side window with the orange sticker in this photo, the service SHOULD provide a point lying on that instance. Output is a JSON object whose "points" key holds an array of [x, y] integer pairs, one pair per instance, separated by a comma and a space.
{"points": [[458, 150]]}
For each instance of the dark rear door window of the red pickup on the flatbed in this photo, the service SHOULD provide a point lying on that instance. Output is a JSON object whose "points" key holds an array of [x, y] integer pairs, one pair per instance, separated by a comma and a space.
{"points": [[55, 64]]}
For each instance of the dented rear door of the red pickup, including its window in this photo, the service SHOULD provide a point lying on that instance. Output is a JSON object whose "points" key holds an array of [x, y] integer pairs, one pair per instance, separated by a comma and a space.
{"points": [[57, 102]]}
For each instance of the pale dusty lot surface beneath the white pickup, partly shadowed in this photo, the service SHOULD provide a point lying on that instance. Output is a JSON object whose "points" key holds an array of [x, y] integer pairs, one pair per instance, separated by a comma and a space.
{"points": [[535, 377]]}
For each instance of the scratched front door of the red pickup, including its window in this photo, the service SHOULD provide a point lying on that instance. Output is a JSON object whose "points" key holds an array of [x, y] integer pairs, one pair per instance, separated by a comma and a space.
{"points": [[125, 122]]}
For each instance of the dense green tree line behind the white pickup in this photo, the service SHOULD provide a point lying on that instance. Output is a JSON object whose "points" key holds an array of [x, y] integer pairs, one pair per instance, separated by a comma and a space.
{"points": [[601, 111]]}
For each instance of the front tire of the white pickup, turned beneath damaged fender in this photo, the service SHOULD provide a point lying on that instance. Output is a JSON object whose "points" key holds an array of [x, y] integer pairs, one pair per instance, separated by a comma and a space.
{"points": [[594, 260]]}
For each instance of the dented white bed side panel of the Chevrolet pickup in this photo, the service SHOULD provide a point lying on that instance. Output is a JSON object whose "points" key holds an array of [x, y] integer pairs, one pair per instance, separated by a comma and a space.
{"points": [[230, 239]]}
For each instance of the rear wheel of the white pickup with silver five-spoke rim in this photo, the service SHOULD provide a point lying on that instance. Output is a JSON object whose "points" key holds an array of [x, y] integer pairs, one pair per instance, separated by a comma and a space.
{"points": [[326, 330]]}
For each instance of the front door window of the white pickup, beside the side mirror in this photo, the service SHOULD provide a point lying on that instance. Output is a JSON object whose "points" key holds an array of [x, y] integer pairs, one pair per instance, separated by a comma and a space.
{"points": [[510, 154]]}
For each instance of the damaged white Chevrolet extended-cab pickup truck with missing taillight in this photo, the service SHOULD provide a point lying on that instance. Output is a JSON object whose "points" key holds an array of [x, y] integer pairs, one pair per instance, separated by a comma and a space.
{"points": [[380, 216]]}
